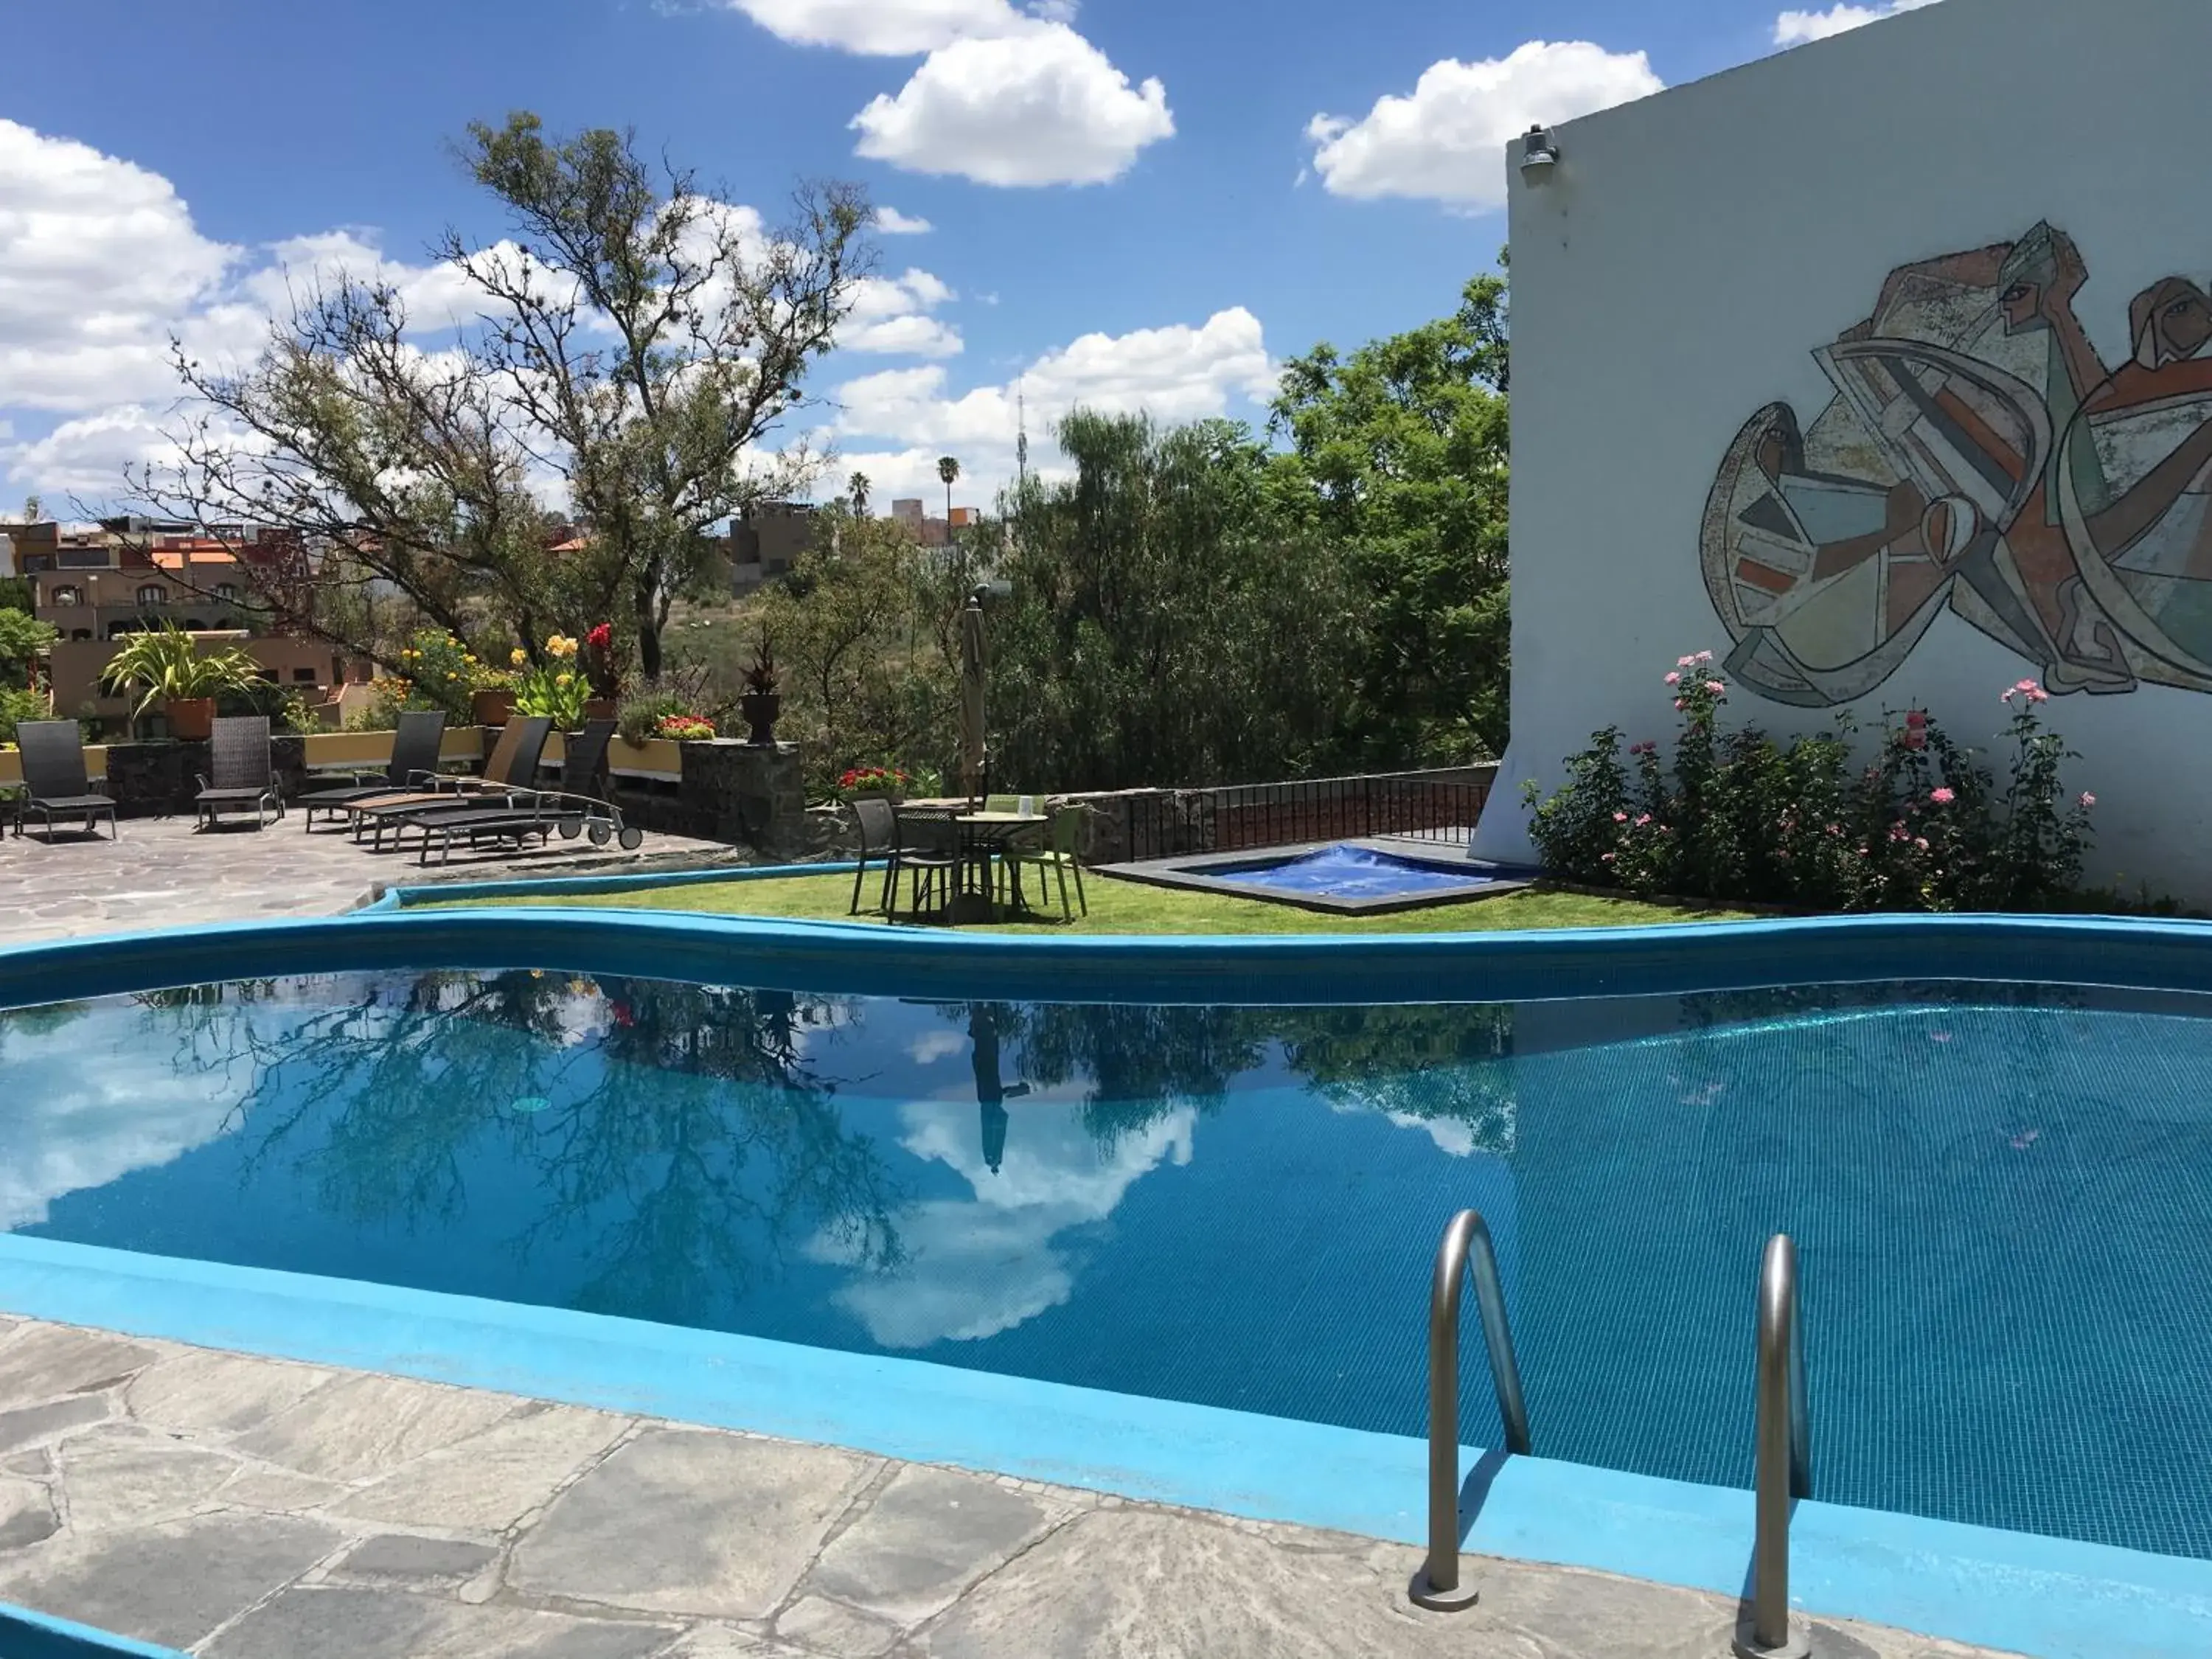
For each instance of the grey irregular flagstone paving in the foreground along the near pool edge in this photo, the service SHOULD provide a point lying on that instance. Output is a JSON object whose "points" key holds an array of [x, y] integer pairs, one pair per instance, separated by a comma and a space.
{"points": [[255, 1510]]}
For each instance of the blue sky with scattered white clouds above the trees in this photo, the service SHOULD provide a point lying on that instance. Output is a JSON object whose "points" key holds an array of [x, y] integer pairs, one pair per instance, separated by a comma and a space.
{"points": [[1127, 202]]}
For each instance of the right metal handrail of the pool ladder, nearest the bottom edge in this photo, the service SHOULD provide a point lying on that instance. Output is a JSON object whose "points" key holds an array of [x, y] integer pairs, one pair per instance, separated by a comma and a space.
{"points": [[1784, 1457]]}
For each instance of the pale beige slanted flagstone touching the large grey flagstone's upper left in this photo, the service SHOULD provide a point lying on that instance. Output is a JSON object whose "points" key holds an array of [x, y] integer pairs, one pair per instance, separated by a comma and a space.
{"points": [[494, 1479]]}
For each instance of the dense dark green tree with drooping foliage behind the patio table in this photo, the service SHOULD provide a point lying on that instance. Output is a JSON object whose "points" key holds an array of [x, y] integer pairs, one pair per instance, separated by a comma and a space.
{"points": [[1169, 623]]}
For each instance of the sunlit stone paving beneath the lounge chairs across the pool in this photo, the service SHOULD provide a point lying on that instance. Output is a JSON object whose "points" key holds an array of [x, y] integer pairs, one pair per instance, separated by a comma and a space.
{"points": [[167, 875]]}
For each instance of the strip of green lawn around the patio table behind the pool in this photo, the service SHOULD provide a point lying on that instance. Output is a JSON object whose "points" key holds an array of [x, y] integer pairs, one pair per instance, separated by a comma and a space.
{"points": [[1136, 908]]}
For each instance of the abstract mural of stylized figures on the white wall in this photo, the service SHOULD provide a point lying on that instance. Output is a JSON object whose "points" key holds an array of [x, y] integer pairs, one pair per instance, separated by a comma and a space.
{"points": [[1979, 457]]}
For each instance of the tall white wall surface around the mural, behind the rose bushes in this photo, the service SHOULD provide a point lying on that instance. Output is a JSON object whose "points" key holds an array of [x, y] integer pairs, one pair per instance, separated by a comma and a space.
{"points": [[1693, 251]]}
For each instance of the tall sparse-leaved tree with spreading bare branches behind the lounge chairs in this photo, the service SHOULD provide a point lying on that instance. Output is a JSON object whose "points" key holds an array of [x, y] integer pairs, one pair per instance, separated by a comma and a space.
{"points": [[634, 340]]}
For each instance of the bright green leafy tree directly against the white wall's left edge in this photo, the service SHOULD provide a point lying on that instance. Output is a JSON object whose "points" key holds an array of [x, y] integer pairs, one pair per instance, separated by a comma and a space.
{"points": [[1399, 452]]}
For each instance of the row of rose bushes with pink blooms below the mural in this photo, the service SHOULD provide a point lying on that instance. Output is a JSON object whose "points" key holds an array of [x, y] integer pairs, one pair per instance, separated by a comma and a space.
{"points": [[1740, 817]]}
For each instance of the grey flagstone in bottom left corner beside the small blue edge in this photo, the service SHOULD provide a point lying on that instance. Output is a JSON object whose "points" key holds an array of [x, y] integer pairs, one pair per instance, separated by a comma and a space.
{"points": [[169, 1585]]}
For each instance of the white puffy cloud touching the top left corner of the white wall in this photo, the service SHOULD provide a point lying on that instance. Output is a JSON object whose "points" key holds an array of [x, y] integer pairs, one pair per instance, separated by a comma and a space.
{"points": [[1448, 138]]}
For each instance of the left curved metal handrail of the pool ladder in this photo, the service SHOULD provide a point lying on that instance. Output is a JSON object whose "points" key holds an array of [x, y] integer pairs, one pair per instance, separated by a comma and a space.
{"points": [[1465, 1249]]}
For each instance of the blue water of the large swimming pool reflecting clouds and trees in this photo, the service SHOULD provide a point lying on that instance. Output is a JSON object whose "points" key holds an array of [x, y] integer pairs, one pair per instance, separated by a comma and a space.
{"points": [[2003, 1198]]}
